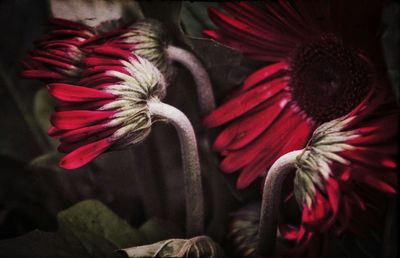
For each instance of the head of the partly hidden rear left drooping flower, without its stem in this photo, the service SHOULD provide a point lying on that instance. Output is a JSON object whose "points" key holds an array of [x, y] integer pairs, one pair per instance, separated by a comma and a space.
{"points": [[59, 54]]}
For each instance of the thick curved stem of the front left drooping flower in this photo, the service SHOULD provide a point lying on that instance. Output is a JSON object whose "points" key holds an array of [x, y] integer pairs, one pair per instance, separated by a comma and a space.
{"points": [[190, 163]]}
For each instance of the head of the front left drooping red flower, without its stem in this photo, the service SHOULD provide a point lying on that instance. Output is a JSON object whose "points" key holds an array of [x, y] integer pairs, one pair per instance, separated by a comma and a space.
{"points": [[107, 108]]}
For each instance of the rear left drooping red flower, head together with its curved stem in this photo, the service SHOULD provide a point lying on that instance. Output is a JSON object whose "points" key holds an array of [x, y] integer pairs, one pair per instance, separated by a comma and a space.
{"points": [[59, 56]]}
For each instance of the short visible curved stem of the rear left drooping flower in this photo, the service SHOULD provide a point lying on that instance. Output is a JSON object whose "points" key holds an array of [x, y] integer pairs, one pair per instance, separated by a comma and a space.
{"points": [[203, 84]]}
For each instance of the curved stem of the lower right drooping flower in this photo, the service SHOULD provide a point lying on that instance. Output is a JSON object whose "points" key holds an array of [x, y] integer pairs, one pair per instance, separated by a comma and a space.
{"points": [[270, 202]]}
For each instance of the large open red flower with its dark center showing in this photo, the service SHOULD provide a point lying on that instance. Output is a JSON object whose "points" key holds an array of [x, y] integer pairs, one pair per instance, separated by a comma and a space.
{"points": [[320, 71]]}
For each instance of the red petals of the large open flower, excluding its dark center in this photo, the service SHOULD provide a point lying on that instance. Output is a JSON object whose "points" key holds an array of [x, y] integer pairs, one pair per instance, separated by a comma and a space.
{"points": [[263, 120]]}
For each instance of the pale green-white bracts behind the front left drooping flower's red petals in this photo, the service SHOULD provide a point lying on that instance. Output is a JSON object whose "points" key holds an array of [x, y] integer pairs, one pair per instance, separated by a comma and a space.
{"points": [[143, 83]]}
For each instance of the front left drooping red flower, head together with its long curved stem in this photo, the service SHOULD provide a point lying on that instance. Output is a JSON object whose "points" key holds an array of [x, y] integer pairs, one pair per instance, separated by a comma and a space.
{"points": [[112, 107]]}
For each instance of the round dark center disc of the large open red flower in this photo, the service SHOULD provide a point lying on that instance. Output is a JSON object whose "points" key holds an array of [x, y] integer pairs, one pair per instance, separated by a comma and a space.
{"points": [[328, 79]]}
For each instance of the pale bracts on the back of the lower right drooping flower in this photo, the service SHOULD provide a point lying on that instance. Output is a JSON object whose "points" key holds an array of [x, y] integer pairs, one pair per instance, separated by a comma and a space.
{"points": [[313, 165]]}
